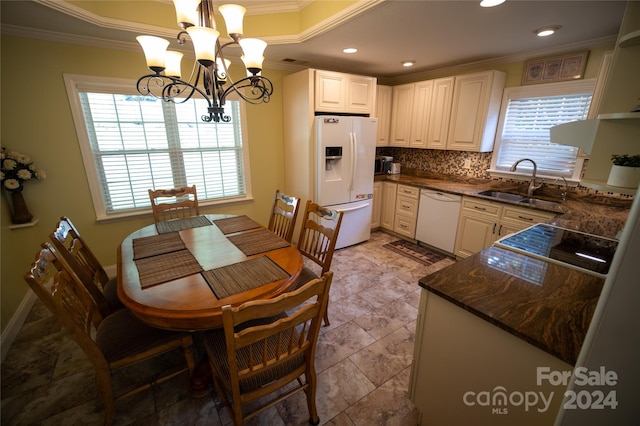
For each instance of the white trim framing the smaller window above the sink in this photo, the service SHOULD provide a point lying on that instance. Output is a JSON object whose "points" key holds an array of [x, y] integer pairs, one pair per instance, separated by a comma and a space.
{"points": [[539, 90]]}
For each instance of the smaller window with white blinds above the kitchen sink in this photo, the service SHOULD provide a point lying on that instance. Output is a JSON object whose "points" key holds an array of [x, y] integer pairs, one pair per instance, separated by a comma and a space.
{"points": [[527, 114]]}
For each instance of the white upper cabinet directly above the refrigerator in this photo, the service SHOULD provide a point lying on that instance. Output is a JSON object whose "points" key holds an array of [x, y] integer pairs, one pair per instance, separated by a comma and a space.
{"points": [[344, 93]]}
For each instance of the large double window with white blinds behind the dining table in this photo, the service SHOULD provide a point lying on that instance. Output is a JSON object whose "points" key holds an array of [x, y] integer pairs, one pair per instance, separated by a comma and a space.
{"points": [[135, 143]]}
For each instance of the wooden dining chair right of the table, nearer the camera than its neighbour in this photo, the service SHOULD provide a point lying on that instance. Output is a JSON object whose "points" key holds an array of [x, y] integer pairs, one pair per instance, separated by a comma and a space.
{"points": [[317, 240]]}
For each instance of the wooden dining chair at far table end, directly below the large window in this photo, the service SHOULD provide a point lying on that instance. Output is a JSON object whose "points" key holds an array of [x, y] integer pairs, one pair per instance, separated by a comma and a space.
{"points": [[174, 203]]}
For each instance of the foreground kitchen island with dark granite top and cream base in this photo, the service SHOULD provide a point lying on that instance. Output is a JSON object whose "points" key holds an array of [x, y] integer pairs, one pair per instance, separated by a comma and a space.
{"points": [[496, 333]]}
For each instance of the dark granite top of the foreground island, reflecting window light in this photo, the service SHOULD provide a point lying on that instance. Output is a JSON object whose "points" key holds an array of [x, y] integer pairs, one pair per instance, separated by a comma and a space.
{"points": [[547, 305]]}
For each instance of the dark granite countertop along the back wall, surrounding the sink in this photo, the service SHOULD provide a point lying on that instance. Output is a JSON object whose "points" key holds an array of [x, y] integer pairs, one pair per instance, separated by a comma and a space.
{"points": [[594, 214]]}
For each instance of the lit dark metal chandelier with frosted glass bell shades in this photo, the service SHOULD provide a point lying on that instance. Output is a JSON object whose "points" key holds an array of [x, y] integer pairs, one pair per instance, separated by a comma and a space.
{"points": [[209, 77]]}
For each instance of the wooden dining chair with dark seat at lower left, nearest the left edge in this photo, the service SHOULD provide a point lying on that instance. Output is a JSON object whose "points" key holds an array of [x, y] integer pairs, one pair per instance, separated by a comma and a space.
{"points": [[115, 342]]}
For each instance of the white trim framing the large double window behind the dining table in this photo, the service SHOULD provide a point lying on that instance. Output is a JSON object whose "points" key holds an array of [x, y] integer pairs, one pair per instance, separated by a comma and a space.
{"points": [[76, 83]]}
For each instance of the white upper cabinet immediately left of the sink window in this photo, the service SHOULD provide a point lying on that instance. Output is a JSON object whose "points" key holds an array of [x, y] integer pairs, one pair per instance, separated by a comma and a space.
{"points": [[475, 110]]}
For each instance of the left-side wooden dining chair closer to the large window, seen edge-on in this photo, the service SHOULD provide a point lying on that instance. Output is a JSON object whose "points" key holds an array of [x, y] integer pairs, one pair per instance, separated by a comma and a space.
{"points": [[77, 254]]}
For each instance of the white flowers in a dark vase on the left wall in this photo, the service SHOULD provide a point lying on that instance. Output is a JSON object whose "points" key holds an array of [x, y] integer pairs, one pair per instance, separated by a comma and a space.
{"points": [[17, 169]]}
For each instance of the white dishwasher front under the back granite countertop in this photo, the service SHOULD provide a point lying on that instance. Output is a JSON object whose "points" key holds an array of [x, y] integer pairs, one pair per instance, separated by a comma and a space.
{"points": [[438, 215]]}
